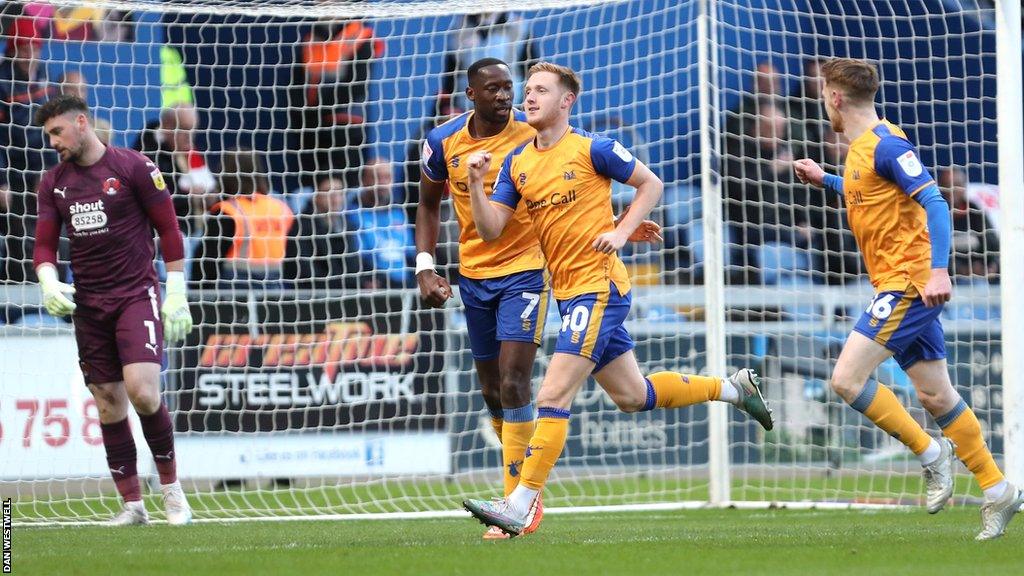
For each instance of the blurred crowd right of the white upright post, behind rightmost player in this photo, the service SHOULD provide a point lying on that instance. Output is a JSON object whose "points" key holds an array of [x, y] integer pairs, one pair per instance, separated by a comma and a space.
{"points": [[782, 232]]}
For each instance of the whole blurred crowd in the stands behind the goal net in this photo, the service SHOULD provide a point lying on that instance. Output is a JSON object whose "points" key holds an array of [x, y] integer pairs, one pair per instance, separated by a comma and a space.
{"points": [[354, 226]]}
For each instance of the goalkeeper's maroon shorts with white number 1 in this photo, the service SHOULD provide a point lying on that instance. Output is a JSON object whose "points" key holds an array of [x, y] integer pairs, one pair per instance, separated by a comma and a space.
{"points": [[115, 333]]}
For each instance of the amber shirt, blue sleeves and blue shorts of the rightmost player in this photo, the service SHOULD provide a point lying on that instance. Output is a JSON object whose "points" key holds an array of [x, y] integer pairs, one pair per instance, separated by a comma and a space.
{"points": [[903, 228]]}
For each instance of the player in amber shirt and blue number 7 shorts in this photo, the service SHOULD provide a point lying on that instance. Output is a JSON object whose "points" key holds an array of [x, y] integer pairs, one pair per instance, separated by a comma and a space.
{"points": [[503, 285]]}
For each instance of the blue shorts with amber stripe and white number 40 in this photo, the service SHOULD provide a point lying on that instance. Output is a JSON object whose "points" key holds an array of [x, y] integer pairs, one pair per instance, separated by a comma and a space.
{"points": [[592, 326]]}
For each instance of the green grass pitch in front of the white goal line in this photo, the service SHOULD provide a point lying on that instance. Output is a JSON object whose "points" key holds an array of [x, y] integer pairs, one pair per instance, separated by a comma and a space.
{"points": [[704, 542]]}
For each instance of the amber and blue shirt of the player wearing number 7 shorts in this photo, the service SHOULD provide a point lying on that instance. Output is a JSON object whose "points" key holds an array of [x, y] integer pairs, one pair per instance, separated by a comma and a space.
{"points": [[445, 154]]}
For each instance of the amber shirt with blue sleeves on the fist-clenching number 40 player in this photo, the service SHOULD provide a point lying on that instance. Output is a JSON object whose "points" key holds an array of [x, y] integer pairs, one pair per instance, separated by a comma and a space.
{"points": [[567, 191]]}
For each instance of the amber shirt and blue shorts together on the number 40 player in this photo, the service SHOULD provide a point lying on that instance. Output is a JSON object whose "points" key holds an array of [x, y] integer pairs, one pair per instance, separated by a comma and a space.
{"points": [[567, 190]]}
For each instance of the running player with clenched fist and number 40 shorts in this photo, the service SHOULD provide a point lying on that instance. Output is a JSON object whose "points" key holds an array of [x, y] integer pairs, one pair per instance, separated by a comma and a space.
{"points": [[564, 177]]}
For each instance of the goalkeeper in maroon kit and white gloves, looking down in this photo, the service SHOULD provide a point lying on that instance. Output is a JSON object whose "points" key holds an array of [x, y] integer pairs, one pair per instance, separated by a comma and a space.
{"points": [[110, 200]]}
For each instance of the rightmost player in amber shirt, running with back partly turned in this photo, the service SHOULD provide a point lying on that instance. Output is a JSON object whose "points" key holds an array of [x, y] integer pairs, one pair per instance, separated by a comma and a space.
{"points": [[903, 228]]}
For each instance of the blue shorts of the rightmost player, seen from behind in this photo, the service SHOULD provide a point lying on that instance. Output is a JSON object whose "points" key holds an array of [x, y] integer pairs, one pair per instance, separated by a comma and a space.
{"points": [[902, 322]]}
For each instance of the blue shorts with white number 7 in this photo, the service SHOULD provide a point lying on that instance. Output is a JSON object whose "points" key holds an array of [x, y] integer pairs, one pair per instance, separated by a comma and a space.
{"points": [[506, 309]]}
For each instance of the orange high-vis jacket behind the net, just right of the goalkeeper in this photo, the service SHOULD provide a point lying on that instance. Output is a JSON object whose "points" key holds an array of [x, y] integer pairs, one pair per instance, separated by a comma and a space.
{"points": [[262, 226]]}
